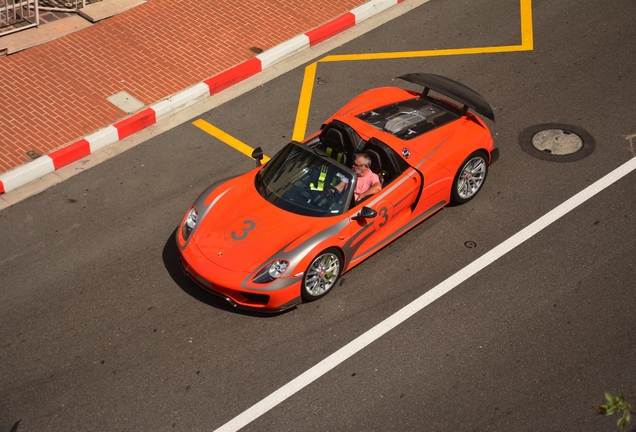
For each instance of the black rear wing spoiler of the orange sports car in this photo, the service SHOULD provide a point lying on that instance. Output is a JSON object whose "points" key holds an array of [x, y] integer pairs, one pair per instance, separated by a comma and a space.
{"points": [[454, 90]]}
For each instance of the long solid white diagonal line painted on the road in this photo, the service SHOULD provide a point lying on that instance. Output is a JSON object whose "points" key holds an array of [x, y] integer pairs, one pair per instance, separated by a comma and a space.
{"points": [[421, 302]]}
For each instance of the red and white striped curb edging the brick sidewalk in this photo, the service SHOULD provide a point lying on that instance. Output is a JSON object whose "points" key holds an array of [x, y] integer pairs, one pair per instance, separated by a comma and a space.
{"points": [[57, 159]]}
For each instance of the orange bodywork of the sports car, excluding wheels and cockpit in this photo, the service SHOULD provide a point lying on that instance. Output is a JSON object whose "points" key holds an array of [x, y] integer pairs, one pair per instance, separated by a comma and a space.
{"points": [[237, 231]]}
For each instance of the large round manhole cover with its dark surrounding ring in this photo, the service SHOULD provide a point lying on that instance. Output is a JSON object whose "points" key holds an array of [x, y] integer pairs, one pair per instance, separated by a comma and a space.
{"points": [[556, 142]]}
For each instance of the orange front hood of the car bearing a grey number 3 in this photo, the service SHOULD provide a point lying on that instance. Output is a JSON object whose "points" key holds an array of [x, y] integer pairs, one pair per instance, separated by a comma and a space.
{"points": [[241, 231]]}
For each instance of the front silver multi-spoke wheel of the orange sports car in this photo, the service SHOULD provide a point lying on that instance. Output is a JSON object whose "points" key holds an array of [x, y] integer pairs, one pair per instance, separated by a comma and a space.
{"points": [[321, 275]]}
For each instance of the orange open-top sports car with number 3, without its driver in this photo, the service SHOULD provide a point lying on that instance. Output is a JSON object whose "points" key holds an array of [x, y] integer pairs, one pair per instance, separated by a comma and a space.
{"points": [[282, 234]]}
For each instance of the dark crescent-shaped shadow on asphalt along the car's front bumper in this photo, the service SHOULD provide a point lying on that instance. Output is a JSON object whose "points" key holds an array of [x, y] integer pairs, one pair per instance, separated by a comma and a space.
{"points": [[171, 262]]}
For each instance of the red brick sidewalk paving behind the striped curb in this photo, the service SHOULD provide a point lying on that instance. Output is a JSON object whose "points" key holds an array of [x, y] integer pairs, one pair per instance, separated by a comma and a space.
{"points": [[55, 94]]}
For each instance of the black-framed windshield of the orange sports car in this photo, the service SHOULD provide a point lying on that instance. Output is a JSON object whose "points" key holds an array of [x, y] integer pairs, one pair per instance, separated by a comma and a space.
{"points": [[303, 181]]}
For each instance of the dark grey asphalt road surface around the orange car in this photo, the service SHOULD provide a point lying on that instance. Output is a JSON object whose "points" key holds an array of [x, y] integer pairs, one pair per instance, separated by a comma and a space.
{"points": [[100, 331]]}
